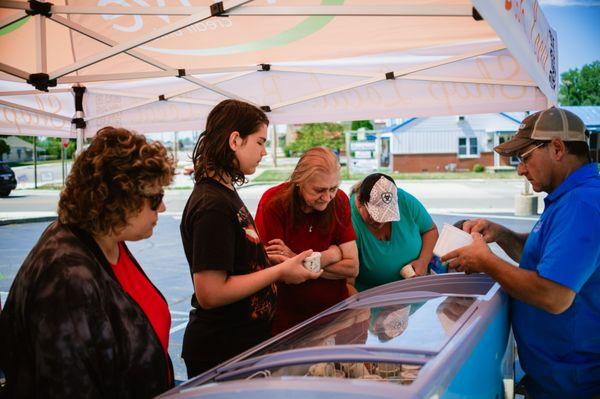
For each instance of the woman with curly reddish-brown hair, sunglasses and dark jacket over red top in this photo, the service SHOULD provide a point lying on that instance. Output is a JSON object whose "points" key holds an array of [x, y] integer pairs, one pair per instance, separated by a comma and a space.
{"points": [[82, 319]]}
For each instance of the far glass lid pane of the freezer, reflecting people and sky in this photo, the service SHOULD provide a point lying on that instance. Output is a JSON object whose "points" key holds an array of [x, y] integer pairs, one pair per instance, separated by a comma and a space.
{"points": [[425, 325]]}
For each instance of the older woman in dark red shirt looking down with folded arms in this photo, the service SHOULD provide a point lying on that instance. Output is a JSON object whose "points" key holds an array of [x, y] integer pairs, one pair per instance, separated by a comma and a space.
{"points": [[309, 212]]}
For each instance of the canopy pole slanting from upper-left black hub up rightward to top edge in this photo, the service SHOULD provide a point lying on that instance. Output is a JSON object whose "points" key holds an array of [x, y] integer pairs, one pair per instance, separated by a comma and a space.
{"points": [[122, 47]]}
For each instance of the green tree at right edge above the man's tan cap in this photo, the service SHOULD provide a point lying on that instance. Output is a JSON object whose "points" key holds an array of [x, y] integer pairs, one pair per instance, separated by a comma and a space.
{"points": [[580, 87]]}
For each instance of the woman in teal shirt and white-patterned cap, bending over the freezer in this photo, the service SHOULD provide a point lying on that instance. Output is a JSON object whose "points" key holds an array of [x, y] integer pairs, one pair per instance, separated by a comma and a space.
{"points": [[393, 229]]}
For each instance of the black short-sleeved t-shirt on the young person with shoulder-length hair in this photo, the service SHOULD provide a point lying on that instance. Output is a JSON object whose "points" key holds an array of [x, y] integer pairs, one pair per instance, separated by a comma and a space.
{"points": [[218, 233]]}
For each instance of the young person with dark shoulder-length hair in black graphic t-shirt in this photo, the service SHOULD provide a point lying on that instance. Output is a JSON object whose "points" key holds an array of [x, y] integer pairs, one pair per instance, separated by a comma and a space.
{"points": [[234, 294]]}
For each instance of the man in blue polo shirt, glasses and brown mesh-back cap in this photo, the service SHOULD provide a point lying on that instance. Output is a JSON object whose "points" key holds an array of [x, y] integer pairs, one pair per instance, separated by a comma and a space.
{"points": [[556, 288]]}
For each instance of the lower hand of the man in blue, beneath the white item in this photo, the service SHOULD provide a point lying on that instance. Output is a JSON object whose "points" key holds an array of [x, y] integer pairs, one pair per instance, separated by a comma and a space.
{"points": [[472, 258]]}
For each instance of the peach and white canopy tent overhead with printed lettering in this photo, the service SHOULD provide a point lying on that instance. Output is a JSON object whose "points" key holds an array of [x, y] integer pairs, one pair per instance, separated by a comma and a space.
{"points": [[161, 65]]}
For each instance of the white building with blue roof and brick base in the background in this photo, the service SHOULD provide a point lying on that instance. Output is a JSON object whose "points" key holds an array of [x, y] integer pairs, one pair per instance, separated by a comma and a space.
{"points": [[448, 143]]}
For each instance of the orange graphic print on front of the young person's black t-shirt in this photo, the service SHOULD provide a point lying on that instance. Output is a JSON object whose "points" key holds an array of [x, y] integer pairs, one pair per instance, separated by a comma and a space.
{"points": [[262, 302]]}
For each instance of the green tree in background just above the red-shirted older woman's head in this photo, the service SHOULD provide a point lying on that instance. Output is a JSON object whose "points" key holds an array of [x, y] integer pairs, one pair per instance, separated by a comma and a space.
{"points": [[330, 135]]}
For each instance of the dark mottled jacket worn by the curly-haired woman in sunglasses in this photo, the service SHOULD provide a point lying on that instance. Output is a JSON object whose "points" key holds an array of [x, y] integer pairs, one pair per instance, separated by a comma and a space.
{"points": [[68, 329]]}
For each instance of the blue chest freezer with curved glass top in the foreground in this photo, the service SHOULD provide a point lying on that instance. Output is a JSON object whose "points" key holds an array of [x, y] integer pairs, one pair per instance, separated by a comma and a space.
{"points": [[438, 336]]}
